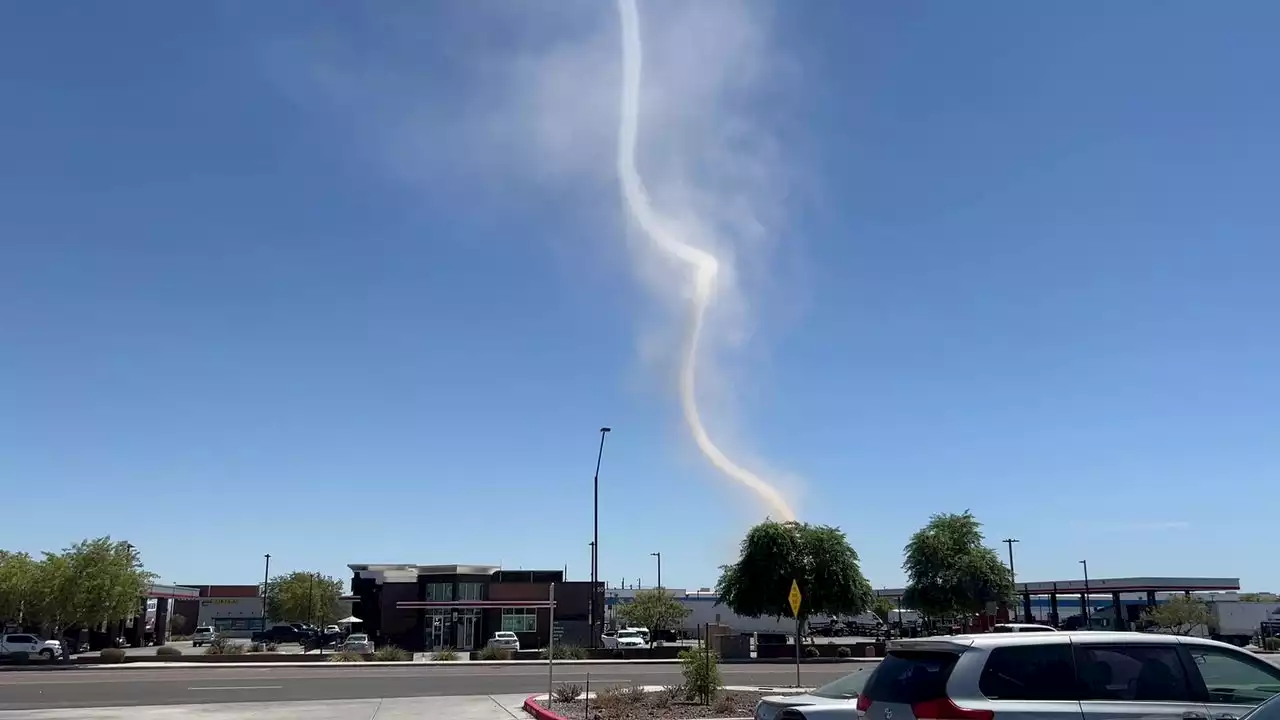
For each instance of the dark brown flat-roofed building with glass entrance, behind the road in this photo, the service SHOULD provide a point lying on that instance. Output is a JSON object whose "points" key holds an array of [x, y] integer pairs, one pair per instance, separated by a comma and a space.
{"points": [[424, 608]]}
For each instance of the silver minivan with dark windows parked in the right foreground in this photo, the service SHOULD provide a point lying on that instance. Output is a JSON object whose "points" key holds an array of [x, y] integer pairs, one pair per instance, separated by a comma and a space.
{"points": [[1078, 676]]}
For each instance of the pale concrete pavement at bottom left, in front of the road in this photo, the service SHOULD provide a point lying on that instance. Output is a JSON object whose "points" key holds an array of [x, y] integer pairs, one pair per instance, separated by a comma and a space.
{"points": [[456, 708]]}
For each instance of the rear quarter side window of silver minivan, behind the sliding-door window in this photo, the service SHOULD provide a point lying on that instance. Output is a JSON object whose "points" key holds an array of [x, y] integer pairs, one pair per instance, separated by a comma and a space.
{"points": [[1030, 672]]}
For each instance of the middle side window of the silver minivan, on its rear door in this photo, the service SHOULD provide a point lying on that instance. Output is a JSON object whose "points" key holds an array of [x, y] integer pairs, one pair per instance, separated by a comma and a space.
{"points": [[1137, 673]]}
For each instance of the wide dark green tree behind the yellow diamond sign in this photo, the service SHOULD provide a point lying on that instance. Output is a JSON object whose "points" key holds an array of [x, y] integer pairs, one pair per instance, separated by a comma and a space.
{"points": [[817, 558]]}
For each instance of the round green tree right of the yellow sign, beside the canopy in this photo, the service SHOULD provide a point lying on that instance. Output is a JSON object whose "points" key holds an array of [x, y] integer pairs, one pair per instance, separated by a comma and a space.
{"points": [[950, 572]]}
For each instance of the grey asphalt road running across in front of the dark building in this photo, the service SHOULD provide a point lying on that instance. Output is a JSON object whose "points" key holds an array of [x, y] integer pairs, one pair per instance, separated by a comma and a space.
{"points": [[166, 686]]}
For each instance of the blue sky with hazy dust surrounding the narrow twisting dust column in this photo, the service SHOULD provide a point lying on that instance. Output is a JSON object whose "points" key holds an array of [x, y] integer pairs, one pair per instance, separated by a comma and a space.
{"points": [[354, 284]]}
